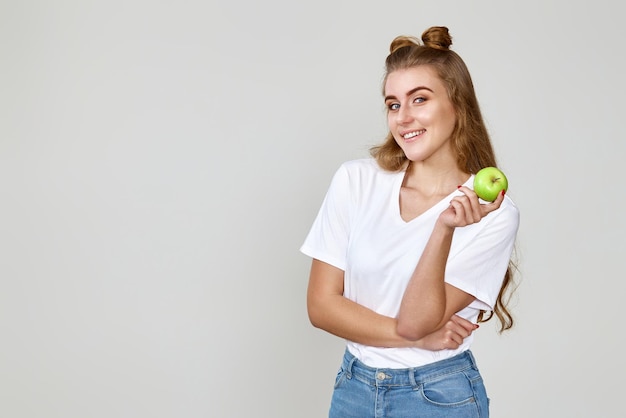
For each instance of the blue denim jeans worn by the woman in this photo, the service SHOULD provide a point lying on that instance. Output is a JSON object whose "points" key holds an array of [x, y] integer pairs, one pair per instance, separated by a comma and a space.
{"points": [[451, 388]]}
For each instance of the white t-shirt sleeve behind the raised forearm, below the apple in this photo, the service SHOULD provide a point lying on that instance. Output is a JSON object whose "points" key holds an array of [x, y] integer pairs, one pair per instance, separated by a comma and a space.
{"points": [[478, 267]]}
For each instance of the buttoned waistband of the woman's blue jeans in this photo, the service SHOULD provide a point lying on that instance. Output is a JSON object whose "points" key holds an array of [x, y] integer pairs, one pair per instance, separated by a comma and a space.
{"points": [[413, 376]]}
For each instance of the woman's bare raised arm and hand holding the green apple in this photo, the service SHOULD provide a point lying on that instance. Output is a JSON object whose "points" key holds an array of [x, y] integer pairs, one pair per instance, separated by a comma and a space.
{"points": [[429, 302]]}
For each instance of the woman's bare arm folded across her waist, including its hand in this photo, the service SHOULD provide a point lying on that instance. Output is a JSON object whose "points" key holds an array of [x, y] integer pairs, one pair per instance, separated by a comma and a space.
{"points": [[329, 310]]}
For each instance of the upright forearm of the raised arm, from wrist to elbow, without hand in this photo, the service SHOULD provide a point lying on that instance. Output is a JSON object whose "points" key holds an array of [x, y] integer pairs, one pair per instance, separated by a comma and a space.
{"points": [[423, 308]]}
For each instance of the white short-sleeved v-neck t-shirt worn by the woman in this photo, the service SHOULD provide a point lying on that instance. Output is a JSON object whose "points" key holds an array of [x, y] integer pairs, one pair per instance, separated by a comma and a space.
{"points": [[359, 230]]}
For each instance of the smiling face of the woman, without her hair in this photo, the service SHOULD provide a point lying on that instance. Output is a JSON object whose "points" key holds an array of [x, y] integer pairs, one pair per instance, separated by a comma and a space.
{"points": [[420, 115]]}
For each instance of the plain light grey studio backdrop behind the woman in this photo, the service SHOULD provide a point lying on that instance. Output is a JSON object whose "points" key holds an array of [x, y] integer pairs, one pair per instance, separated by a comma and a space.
{"points": [[161, 163]]}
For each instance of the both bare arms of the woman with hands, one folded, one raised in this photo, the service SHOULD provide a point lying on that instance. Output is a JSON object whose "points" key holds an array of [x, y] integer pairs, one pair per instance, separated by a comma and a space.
{"points": [[427, 313]]}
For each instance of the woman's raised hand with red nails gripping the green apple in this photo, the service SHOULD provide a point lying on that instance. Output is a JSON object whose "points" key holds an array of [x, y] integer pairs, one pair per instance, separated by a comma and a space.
{"points": [[466, 209]]}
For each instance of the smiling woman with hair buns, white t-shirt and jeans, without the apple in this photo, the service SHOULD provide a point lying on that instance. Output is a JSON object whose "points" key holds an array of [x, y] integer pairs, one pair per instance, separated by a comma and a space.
{"points": [[406, 258]]}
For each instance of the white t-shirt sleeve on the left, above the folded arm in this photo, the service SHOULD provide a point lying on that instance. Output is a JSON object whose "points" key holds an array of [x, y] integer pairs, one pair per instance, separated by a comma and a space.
{"points": [[327, 239]]}
